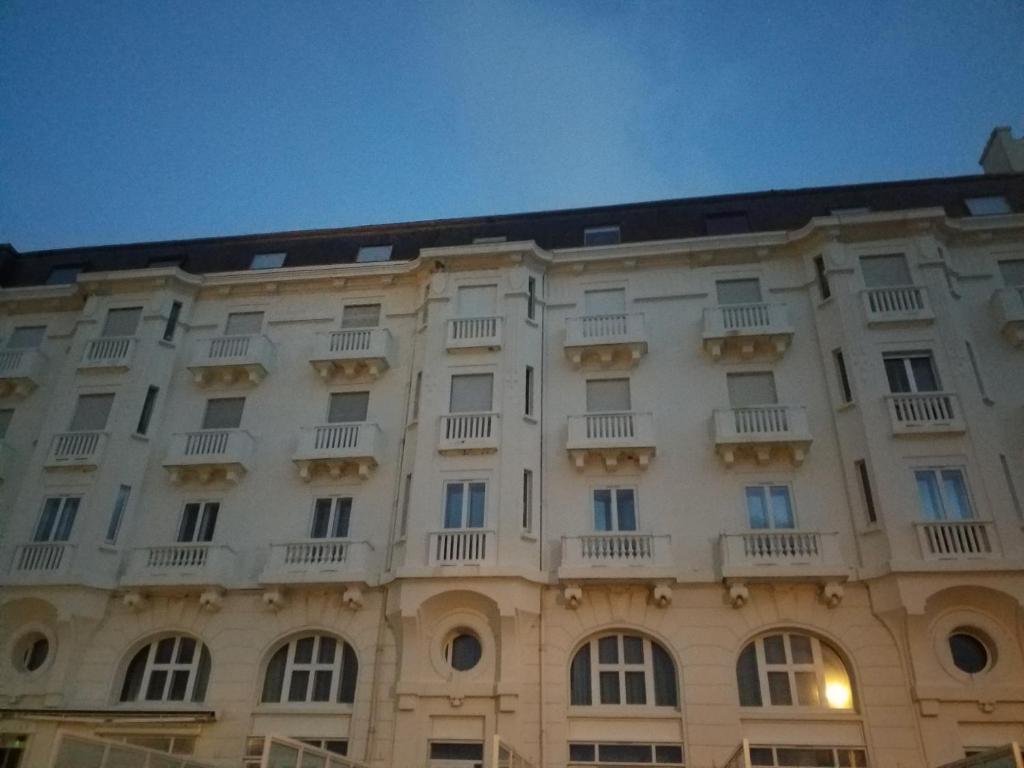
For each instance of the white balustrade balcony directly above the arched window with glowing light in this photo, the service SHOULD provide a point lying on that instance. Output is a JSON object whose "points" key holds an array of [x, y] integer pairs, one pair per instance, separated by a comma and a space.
{"points": [[782, 554]]}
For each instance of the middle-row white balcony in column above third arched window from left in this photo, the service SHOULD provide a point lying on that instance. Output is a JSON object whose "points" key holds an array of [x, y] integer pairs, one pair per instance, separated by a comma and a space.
{"points": [[612, 438]]}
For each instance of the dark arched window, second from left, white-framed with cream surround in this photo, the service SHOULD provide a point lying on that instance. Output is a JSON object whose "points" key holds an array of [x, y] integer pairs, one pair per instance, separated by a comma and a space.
{"points": [[312, 668]]}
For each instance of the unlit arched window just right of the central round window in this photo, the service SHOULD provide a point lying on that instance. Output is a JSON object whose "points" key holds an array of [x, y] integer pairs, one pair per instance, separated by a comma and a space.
{"points": [[623, 669]]}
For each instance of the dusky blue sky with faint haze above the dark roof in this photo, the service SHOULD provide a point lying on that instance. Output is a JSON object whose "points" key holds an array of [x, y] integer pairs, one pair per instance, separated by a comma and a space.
{"points": [[136, 121]]}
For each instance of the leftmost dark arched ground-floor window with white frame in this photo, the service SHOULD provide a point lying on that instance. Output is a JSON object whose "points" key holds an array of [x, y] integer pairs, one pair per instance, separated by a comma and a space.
{"points": [[173, 669]]}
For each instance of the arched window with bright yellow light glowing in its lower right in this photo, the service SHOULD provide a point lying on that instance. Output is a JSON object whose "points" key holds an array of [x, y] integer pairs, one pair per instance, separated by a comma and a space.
{"points": [[790, 669]]}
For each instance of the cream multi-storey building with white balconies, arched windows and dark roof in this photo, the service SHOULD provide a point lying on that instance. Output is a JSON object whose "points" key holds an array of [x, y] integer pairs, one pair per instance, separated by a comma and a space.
{"points": [[632, 486]]}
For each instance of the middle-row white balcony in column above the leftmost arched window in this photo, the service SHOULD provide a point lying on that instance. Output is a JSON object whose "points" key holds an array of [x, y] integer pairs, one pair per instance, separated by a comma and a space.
{"points": [[208, 455]]}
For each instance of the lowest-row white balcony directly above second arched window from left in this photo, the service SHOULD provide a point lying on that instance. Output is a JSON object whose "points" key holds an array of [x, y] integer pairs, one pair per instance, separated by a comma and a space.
{"points": [[318, 562]]}
